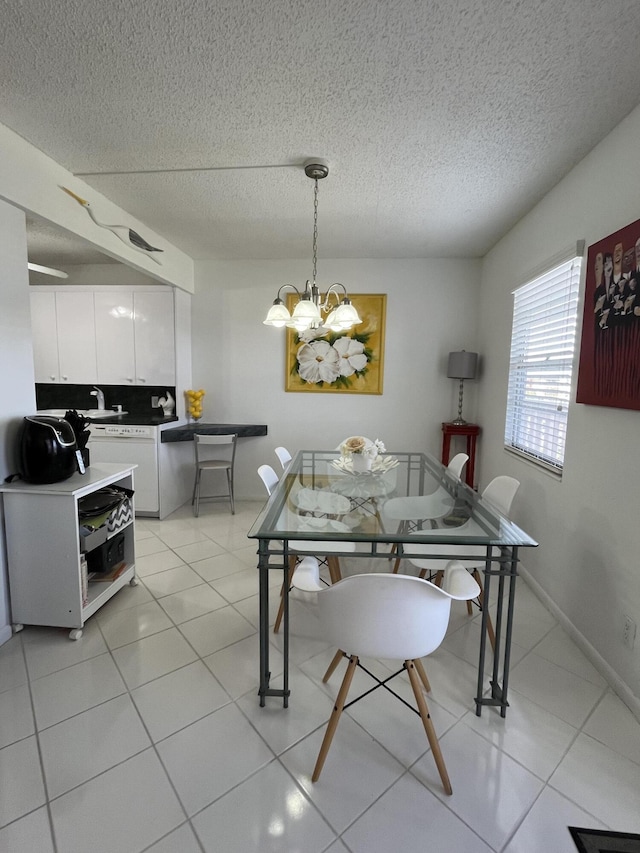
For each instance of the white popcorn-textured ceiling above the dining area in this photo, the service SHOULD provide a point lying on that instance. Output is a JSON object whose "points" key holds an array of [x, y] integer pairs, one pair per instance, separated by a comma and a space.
{"points": [[443, 121]]}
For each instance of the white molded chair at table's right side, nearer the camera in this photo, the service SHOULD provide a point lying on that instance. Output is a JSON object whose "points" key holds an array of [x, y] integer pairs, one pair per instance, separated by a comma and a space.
{"points": [[500, 493]]}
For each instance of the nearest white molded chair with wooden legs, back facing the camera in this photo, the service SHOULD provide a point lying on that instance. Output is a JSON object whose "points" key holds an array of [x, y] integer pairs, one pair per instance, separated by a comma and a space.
{"points": [[385, 616]]}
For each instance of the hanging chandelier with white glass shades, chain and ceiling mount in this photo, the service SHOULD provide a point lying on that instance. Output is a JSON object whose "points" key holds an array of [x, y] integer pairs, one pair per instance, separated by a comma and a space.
{"points": [[308, 311]]}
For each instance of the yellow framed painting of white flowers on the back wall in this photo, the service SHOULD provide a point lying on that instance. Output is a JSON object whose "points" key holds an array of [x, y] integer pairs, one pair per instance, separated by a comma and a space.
{"points": [[325, 361]]}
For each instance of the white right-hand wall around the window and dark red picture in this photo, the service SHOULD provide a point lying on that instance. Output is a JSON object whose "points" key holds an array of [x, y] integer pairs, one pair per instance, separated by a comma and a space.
{"points": [[587, 523]]}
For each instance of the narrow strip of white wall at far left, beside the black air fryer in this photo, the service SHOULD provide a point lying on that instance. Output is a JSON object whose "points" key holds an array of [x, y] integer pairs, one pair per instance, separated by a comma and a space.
{"points": [[17, 392]]}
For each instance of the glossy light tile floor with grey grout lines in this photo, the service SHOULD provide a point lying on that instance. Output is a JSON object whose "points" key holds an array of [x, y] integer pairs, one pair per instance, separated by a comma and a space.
{"points": [[146, 734]]}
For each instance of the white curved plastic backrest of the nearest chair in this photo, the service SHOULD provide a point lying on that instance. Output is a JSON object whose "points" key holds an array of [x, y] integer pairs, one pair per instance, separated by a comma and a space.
{"points": [[388, 616]]}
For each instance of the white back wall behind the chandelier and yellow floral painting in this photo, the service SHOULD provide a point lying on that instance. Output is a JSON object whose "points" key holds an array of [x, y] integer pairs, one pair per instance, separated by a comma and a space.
{"points": [[431, 309]]}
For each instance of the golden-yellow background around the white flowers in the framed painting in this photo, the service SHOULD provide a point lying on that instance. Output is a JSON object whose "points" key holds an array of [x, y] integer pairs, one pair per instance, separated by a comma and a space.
{"points": [[372, 309]]}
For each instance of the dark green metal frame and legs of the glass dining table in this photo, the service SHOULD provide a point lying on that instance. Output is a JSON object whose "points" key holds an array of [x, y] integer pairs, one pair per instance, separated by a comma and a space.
{"points": [[500, 557]]}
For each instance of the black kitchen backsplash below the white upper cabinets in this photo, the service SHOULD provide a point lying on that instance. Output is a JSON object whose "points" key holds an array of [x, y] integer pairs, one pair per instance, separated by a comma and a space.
{"points": [[134, 399]]}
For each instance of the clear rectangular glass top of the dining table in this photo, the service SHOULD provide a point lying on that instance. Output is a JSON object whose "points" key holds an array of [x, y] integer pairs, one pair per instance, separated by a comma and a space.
{"points": [[321, 497]]}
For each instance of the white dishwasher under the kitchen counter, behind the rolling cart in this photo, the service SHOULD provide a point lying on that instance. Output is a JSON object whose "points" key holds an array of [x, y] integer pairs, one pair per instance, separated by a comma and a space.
{"points": [[131, 444]]}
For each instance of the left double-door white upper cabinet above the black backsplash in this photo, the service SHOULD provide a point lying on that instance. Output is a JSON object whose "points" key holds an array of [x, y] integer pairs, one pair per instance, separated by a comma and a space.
{"points": [[63, 336]]}
